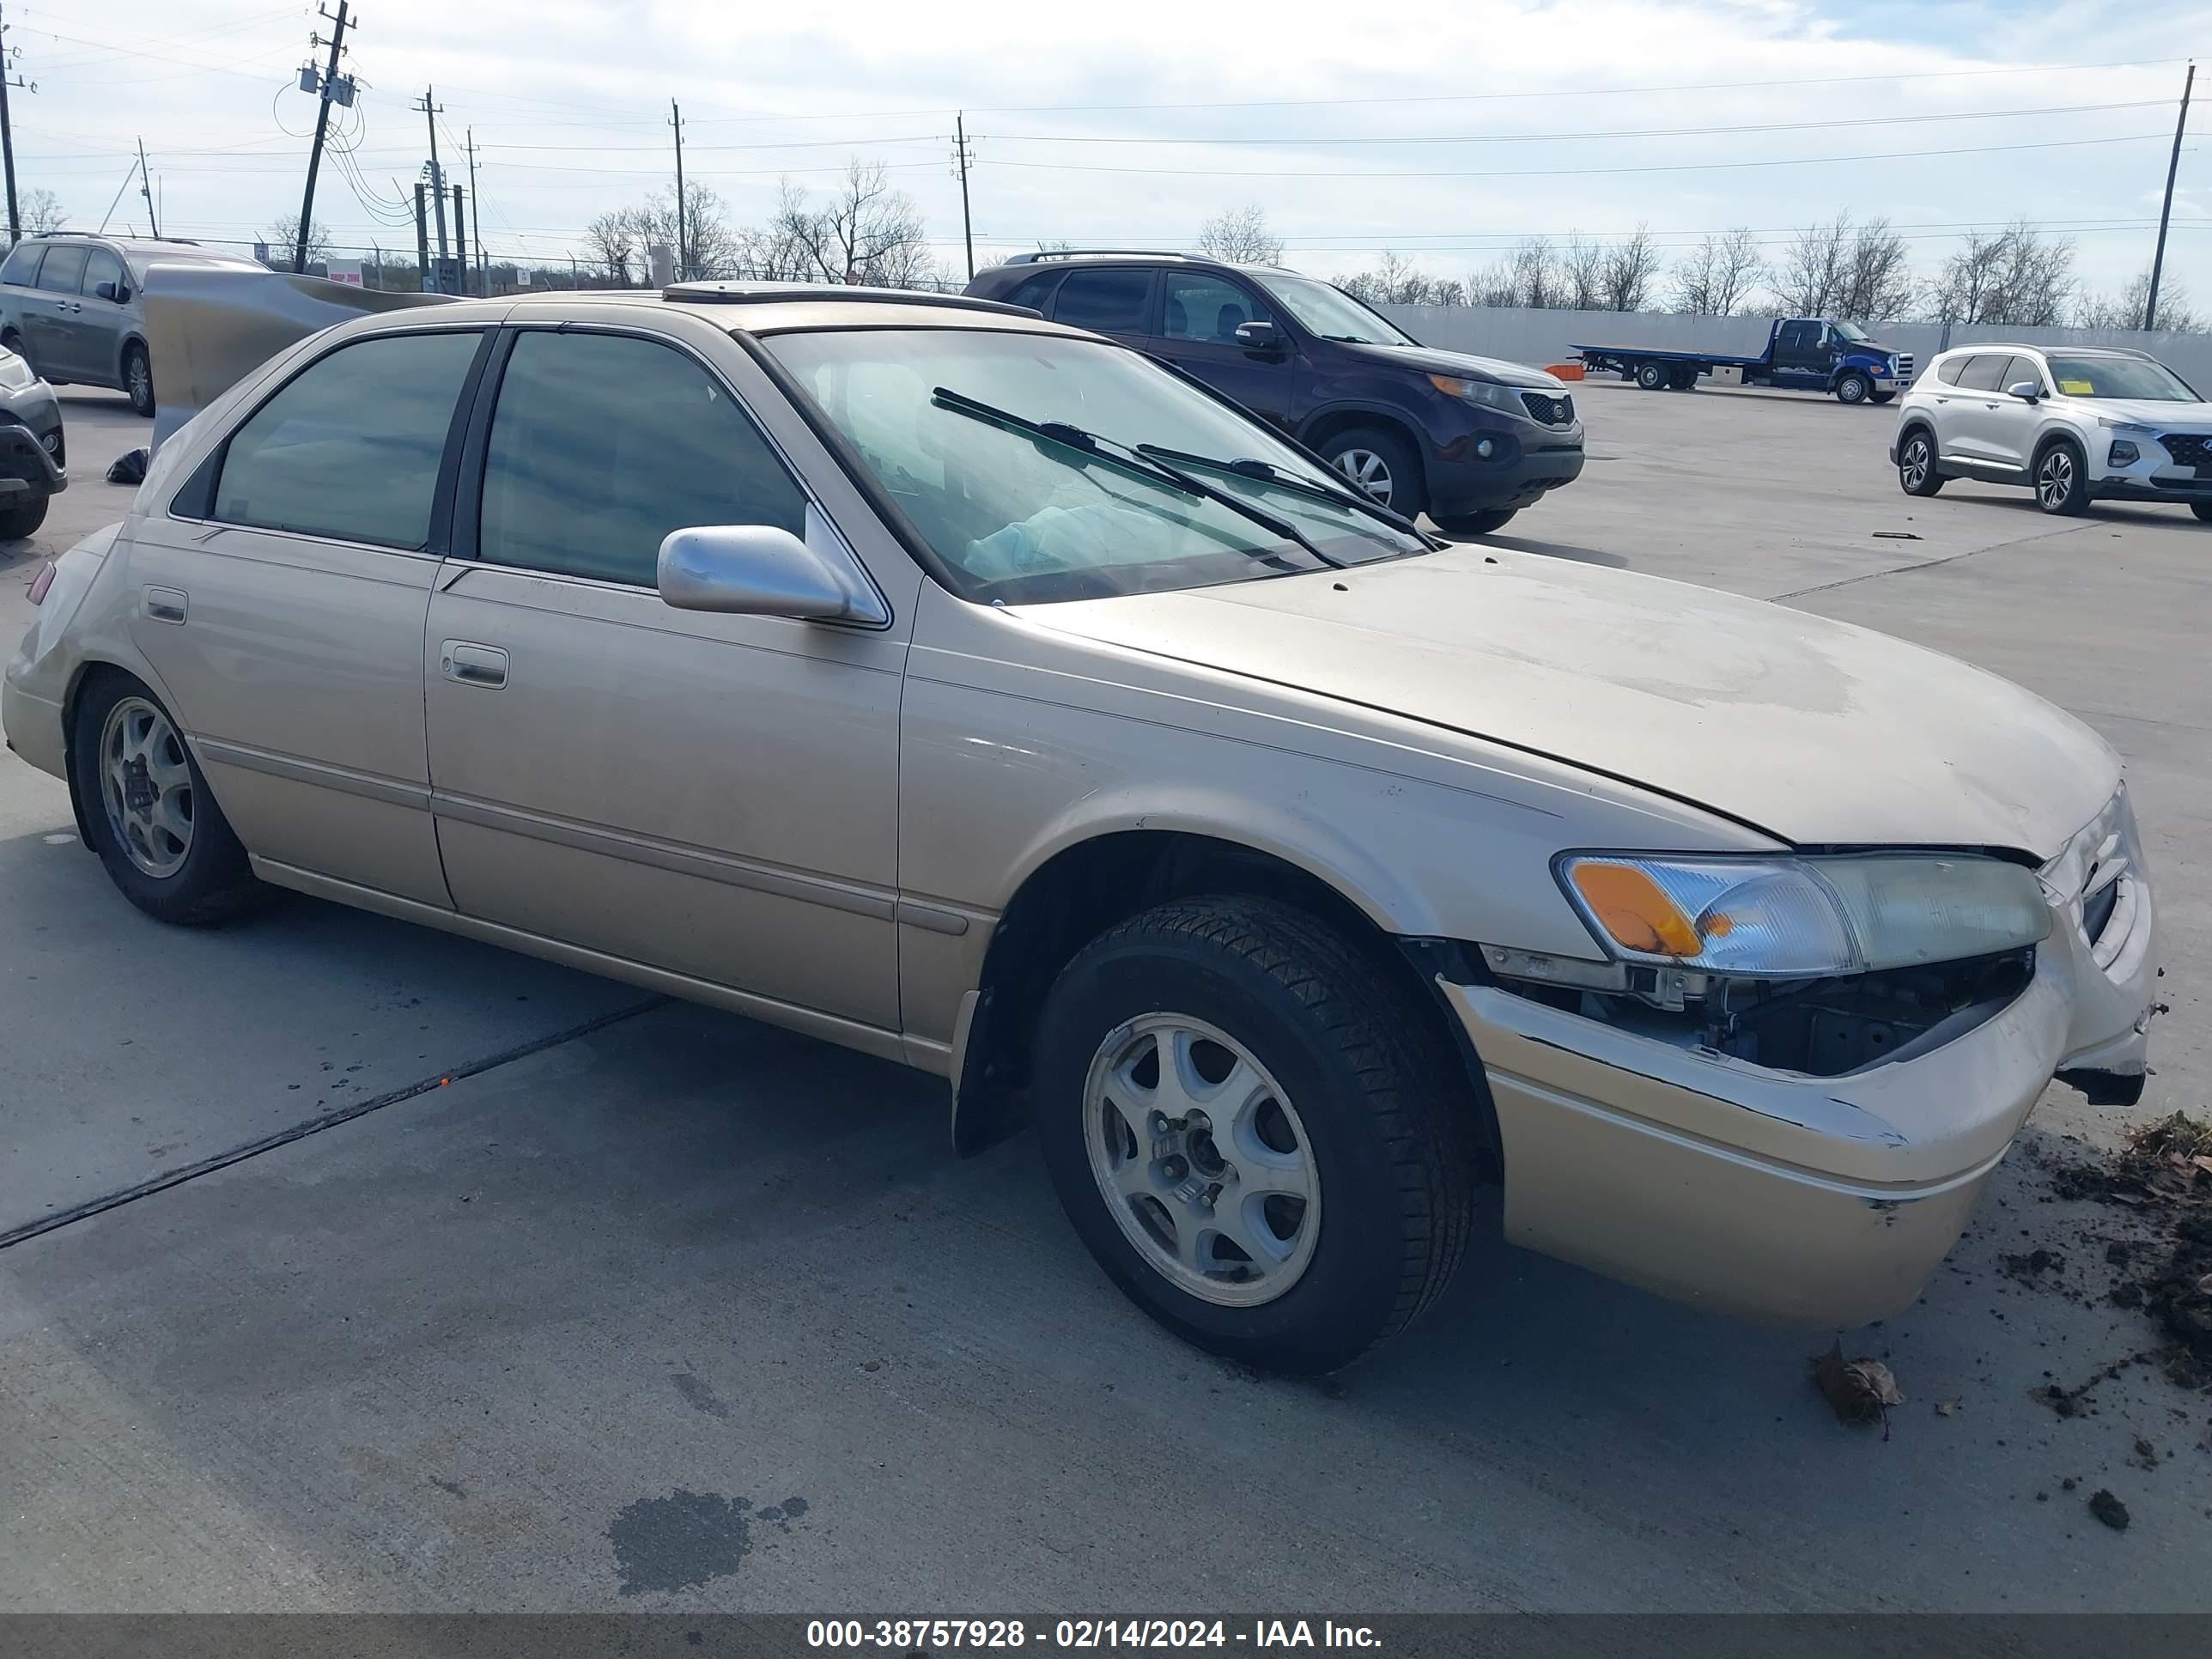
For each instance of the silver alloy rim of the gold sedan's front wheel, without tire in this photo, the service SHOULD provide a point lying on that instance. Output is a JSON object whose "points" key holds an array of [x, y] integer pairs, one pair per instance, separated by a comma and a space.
{"points": [[1202, 1160]]}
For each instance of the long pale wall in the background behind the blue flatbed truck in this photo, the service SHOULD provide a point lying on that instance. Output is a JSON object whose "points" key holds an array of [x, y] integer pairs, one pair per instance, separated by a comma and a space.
{"points": [[1550, 337]]}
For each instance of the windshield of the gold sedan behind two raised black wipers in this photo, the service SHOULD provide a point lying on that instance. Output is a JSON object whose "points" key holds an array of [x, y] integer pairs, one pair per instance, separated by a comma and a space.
{"points": [[1032, 519]]}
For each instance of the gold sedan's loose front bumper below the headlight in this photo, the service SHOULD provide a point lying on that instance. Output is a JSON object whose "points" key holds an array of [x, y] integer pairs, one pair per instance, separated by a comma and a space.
{"points": [[1782, 1196]]}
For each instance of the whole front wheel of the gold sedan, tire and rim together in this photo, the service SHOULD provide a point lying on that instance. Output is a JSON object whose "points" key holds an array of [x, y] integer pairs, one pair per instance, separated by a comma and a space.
{"points": [[1264, 1145]]}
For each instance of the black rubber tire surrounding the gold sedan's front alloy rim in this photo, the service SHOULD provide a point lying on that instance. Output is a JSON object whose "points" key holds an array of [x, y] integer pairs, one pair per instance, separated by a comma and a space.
{"points": [[1379, 1092]]}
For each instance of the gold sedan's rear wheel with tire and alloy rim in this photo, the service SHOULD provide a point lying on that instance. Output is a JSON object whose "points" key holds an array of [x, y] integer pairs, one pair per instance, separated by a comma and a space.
{"points": [[152, 817]]}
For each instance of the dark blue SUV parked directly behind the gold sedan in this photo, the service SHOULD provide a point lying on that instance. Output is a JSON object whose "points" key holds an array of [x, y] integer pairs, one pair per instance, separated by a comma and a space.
{"points": [[1465, 439]]}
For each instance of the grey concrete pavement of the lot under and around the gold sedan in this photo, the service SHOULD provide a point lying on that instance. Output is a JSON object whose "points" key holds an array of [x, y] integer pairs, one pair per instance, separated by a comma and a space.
{"points": [[696, 1315]]}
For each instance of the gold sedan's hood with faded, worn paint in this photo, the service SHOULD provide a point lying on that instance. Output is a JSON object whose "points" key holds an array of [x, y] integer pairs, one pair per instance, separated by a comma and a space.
{"points": [[1815, 731]]}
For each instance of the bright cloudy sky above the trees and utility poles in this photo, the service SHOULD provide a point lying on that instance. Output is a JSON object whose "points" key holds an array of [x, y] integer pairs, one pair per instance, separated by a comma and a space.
{"points": [[1439, 132]]}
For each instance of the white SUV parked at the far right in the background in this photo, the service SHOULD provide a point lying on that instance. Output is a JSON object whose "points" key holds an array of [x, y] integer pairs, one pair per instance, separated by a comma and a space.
{"points": [[2074, 424]]}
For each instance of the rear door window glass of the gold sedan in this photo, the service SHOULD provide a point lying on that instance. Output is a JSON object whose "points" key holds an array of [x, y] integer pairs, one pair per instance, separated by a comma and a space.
{"points": [[353, 446]]}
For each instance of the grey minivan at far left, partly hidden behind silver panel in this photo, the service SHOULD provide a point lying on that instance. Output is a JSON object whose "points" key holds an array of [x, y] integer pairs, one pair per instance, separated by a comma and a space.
{"points": [[76, 306]]}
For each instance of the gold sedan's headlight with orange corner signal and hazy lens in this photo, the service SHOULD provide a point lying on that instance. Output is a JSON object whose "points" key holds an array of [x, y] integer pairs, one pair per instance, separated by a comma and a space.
{"points": [[1804, 917]]}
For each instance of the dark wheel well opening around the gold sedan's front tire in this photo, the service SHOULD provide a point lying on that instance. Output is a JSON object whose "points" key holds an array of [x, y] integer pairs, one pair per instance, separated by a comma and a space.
{"points": [[1087, 886]]}
